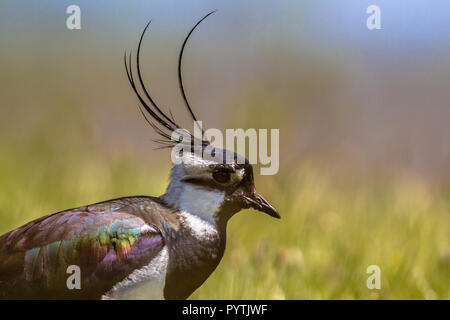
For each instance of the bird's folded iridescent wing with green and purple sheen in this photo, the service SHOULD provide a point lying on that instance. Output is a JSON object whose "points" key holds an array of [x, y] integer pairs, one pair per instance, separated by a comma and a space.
{"points": [[107, 241]]}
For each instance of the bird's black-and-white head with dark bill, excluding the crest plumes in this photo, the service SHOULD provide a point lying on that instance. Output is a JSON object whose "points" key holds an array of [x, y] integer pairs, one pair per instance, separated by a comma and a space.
{"points": [[212, 189]]}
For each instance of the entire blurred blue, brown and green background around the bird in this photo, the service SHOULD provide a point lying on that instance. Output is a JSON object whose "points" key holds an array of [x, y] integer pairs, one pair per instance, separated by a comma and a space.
{"points": [[363, 116]]}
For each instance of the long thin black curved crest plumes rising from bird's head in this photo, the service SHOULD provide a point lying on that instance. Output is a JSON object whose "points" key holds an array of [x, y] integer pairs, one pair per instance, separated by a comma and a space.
{"points": [[162, 123]]}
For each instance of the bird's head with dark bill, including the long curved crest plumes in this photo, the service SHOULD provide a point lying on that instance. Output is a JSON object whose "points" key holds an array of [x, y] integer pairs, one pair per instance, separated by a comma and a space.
{"points": [[199, 184]]}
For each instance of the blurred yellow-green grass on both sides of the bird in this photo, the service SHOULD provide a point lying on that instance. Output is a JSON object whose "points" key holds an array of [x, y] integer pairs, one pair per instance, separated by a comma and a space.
{"points": [[333, 226]]}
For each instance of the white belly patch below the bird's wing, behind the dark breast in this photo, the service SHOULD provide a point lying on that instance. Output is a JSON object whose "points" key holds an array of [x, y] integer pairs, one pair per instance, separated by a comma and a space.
{"points": [[145, 283]]}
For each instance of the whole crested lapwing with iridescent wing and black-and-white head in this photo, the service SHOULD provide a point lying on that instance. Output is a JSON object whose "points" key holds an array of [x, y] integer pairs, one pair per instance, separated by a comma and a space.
{"points": [[137, 247]]}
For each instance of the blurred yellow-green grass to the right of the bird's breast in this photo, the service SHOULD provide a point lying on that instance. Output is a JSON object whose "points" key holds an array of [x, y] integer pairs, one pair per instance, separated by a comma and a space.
{"points": [[327, 238]]}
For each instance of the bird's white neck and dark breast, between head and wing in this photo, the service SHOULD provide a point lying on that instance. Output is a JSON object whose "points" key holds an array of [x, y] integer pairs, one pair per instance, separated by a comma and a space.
{"points": [[199, 243]]}
